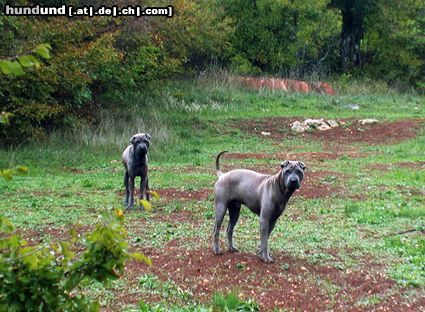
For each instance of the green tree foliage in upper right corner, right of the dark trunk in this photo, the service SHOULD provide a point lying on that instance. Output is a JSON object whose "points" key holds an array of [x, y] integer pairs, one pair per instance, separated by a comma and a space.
{"points": [[393, 46]]}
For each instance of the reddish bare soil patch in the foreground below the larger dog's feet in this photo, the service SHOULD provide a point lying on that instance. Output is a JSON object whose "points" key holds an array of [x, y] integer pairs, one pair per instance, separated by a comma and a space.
{"points": [[289, 283]]}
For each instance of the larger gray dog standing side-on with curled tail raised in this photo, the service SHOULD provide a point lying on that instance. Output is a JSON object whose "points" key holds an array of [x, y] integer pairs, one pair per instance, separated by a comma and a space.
{"points": [[265, 195]]}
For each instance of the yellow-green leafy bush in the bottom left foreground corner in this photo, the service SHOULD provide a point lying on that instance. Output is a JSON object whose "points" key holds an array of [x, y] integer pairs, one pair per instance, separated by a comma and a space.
{"points": [[47, 277]]}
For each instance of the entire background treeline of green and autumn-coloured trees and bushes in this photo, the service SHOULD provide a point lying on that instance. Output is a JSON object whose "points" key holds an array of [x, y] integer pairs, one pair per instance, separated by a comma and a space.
{"points": [[101, 61]]}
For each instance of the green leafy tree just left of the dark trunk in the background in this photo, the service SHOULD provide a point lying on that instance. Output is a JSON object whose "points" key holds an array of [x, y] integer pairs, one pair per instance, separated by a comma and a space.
{"points": [[282, 36]]}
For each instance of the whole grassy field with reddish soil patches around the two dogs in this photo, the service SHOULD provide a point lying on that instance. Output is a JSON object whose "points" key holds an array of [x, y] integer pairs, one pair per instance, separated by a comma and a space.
{"points": [[339, 245]]}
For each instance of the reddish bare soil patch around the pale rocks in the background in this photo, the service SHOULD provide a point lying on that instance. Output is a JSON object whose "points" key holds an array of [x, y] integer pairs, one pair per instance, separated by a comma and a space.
{"points": [[380, 133]]}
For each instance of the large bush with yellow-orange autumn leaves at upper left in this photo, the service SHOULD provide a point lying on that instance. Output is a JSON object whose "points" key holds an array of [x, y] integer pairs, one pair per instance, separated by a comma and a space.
{"points": [[98, 62]]}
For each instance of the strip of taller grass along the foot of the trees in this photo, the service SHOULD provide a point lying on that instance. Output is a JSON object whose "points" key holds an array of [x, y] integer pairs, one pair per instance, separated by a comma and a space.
{"points": [[188, 106]]}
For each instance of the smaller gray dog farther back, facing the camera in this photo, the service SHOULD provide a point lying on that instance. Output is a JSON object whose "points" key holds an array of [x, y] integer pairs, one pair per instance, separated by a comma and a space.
{"points": [[135, 160]]}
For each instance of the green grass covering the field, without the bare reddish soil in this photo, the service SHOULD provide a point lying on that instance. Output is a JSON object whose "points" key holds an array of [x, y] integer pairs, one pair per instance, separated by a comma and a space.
{"points": [[77, 175]]}
